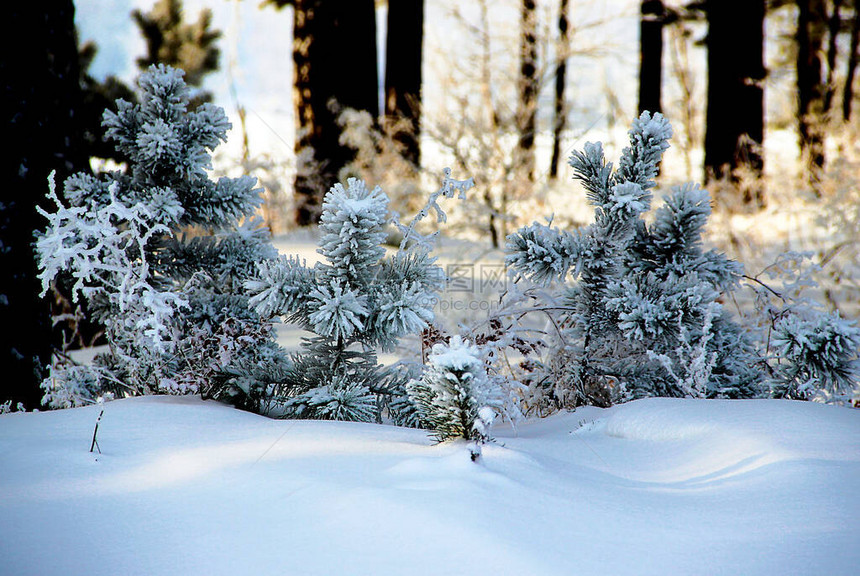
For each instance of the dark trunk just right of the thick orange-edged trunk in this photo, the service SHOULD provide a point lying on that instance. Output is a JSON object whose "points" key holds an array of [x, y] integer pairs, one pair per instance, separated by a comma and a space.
{"points": [[403, 59]]}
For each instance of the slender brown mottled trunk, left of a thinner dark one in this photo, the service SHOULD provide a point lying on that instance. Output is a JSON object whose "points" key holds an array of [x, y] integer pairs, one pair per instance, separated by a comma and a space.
{"points": [[528, 90]]}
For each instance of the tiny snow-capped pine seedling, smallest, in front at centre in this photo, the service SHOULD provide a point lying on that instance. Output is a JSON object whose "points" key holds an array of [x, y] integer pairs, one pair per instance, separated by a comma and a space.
{"points": [[454, 396]]}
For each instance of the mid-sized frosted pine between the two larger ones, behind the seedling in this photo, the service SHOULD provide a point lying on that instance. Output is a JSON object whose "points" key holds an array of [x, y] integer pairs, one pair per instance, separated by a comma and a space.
{"points": [[356, 302]]}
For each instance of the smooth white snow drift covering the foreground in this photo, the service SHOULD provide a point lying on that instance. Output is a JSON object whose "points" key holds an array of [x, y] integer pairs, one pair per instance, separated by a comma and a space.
{"points": [[658, 486]]}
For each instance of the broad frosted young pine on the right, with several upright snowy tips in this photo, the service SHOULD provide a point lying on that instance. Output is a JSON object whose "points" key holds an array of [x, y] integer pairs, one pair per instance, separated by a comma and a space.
{"points": [[643, 309]]}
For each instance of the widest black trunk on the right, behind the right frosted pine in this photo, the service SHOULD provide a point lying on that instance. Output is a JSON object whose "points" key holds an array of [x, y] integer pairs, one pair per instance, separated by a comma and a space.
{"points": [[735, 108]]}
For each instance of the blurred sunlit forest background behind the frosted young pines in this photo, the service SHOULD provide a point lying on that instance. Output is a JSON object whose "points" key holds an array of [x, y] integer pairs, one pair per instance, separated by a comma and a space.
{"points": [[762, 96]]}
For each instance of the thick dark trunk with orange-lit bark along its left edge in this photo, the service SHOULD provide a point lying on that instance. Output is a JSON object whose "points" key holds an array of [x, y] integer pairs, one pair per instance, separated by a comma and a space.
{"points": [[334, 55]]}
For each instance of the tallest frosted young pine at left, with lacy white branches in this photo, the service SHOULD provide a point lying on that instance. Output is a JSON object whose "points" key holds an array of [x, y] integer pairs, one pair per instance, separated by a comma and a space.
{"points": [[160, 251]]}
